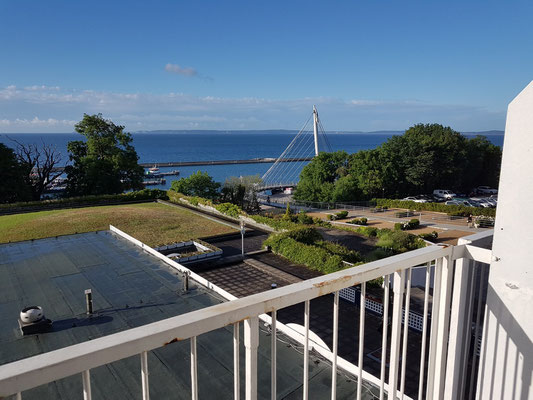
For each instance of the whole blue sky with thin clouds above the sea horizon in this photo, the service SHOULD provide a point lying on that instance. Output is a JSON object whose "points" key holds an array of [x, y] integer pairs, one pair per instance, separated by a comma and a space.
{"points": [[367, 65]]}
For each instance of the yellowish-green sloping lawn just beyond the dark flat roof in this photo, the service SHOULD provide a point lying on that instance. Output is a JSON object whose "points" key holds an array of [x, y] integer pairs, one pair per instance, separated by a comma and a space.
{"points": [[151, 223]]}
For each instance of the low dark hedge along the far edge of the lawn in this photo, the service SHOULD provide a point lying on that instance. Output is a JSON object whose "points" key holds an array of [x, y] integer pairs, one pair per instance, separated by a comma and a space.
{"points": [[144, 194]]}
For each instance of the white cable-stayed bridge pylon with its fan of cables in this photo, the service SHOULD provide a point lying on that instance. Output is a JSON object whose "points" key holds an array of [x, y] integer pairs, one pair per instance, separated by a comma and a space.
{"points": [[306, 144]]}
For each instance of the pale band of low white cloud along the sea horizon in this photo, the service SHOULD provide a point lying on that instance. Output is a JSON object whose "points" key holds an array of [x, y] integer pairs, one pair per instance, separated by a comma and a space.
{"points": [[53, 109]]}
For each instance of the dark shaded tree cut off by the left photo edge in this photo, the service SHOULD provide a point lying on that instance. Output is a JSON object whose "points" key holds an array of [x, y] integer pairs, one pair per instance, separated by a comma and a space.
{"points": [[12, 177]]}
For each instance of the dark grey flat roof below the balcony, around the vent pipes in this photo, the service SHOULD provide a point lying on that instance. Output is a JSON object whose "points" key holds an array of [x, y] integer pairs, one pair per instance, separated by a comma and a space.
{"points": [[130, 288]]}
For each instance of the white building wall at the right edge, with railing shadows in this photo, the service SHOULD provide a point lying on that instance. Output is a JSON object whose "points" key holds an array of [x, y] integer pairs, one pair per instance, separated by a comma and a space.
{"points": [[507, 351]]}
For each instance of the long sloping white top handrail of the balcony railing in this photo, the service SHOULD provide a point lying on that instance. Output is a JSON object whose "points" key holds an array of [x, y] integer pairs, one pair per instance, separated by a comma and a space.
{"points": [[34, 371]]}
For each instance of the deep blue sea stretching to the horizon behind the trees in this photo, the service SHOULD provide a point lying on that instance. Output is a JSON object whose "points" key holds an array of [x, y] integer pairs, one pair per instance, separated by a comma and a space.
{"points": [[155, 147]]}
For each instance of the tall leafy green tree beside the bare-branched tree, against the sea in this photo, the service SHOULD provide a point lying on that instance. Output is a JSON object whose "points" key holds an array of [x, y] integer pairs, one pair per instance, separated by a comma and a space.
{"points": [[105, 163]]}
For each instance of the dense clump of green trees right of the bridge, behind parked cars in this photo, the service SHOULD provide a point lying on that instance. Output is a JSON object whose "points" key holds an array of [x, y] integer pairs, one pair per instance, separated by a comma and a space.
{"points": [[424, 158]]}
